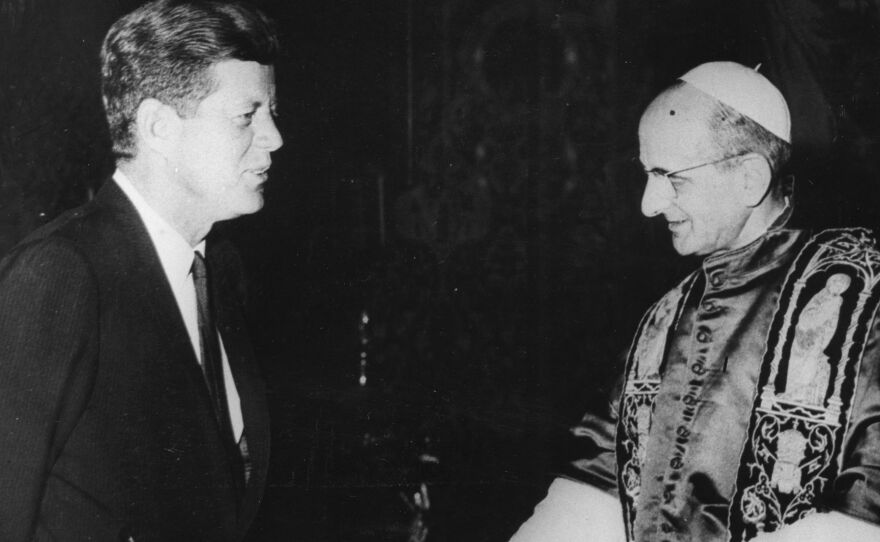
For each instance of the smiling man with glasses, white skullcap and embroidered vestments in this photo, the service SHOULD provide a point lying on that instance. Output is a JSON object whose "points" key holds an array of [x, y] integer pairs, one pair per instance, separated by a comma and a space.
{"points": [[749, 408]]}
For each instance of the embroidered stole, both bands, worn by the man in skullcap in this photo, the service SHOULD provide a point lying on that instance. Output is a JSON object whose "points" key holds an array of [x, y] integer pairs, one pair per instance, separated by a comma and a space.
{"points": [[804, 393]]}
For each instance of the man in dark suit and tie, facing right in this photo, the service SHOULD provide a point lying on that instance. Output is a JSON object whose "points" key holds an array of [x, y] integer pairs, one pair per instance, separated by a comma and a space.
{"points": [[131, 403]]}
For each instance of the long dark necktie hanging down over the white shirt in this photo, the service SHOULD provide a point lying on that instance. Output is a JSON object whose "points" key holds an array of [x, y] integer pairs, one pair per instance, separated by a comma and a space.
{"points": [[212, 360]]}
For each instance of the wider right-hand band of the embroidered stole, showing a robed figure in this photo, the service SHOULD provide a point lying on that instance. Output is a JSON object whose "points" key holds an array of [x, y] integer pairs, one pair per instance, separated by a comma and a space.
{"points": [[808, 378]]}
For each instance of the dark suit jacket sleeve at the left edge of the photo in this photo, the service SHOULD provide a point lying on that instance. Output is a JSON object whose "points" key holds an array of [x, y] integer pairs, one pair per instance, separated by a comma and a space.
{"points": [[48, 341]]}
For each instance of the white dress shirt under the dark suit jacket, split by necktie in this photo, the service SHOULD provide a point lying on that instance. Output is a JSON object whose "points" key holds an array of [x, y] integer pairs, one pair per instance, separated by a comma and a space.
{"points": [[176, 256]]}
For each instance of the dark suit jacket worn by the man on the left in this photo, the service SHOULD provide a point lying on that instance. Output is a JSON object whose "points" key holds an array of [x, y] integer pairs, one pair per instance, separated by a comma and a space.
{"points": [[106, 428]]}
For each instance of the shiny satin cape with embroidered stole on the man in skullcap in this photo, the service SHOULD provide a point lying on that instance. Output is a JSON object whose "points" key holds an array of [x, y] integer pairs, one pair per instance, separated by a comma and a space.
{"points": [[693, 381]]}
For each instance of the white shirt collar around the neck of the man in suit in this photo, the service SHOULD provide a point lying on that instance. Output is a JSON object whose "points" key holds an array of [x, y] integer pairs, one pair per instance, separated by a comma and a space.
{"points": [[175, 253]]}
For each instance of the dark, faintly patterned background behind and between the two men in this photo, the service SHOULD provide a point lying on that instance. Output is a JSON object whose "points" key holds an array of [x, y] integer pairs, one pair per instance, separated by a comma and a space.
{"points": [[456, 204]]}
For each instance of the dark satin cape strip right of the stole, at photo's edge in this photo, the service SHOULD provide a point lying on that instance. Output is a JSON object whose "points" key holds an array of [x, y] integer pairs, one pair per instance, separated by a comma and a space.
{"points": [[856, 491]]}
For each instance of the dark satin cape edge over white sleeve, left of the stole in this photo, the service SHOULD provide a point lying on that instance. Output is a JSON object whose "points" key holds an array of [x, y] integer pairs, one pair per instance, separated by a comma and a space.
{"points": [[590, 451]]}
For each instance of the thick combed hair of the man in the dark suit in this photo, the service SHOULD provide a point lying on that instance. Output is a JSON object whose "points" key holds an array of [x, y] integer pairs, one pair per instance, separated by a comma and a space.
{"points": [[165, 49]]}
